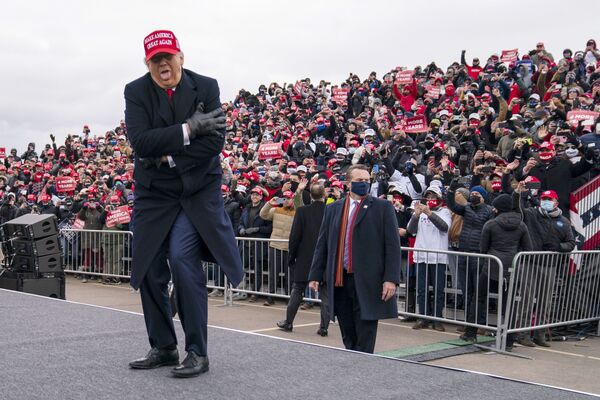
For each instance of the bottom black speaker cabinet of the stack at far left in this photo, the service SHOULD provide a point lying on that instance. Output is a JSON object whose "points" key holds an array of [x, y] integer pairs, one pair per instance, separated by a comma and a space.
{"points": [[29, 283]]}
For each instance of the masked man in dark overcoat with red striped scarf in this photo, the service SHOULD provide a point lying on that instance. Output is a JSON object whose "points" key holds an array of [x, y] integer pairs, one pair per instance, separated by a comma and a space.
{"points": [[358, 258]]}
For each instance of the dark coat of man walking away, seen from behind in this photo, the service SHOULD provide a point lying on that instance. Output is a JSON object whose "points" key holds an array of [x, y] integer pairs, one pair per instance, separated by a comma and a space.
{"points": [[303, 239]]}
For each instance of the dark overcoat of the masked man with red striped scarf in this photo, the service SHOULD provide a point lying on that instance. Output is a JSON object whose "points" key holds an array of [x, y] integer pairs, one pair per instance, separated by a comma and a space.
{"points": [[375, 255]]}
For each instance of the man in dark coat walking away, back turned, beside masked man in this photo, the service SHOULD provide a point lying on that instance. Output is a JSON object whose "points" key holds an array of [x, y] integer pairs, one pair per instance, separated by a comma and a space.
{"points": [[303, 240]]}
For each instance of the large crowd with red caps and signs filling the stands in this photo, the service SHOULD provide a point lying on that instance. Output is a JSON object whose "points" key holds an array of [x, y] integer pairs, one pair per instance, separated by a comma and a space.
{"points": [[452, 149]]}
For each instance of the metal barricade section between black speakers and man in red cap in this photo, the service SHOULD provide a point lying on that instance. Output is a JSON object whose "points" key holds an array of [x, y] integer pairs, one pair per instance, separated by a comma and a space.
{"points": [[102, 253]]}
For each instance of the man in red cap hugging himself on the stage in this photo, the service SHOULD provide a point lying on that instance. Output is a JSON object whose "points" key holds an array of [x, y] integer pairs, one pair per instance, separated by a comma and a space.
{"points": [[176, 126]]}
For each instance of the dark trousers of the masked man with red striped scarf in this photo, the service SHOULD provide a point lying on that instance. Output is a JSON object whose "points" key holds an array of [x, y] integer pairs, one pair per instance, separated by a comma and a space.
{"points": [[357, 334]]}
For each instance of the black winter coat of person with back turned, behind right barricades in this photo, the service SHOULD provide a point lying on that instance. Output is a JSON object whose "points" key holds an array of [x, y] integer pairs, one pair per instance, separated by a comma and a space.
{"points": [[503, 237]]}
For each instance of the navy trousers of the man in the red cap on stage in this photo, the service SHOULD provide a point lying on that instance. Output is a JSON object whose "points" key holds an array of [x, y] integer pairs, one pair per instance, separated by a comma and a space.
{"points": [[183, 250]]}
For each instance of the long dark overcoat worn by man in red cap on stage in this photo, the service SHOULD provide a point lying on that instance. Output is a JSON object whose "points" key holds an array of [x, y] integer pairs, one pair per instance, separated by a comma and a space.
{"points": [[154, 129]]}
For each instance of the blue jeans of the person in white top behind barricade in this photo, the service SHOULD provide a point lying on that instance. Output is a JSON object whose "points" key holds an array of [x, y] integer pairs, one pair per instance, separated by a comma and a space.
{"points": [[434, 275]]}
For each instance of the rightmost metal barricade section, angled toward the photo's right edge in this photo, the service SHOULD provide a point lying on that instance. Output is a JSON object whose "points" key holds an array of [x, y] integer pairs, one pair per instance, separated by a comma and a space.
{"points": [[548, 289]]}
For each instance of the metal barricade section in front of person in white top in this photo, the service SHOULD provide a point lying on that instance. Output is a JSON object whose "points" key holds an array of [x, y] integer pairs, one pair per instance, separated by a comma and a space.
{"points": [[454, 287]]}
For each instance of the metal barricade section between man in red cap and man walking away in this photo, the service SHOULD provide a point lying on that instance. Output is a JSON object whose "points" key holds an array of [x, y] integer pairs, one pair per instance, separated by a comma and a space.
{"points": [[266, 269]]}
